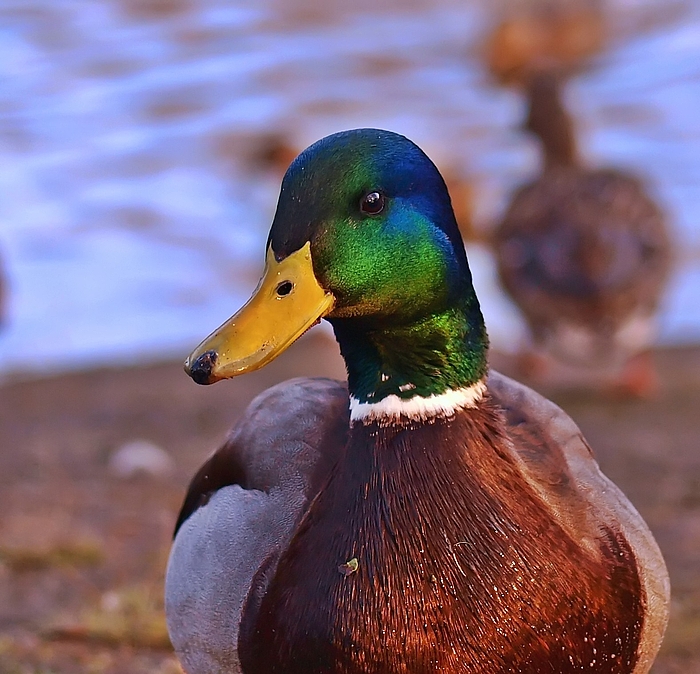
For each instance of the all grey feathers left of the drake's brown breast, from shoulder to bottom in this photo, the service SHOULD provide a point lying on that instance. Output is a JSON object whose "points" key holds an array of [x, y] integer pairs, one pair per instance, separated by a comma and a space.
{"points": [[287, 440]]}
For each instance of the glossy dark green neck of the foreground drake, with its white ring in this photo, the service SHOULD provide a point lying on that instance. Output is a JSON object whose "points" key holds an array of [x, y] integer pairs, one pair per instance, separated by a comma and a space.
{"points": [[401, 364]]}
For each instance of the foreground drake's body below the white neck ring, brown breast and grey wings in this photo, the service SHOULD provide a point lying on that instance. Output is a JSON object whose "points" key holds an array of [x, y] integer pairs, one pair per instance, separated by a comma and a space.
{"points": [[517, 555]]}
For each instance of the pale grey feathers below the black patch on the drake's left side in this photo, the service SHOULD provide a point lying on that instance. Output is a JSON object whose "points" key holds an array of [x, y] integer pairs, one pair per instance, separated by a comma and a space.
{"points": [[212, 563]]}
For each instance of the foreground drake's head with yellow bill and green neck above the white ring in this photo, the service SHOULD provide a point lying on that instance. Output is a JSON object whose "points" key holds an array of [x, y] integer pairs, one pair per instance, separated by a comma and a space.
{"points": [[371, 214]]}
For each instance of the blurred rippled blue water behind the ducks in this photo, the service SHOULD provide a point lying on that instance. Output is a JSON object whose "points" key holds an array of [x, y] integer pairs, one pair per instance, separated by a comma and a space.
{"points": [[133, 214]]}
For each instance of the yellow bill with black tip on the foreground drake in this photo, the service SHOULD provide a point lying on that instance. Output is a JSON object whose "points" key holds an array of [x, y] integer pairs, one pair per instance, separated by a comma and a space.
{"points": [[286, 303]]}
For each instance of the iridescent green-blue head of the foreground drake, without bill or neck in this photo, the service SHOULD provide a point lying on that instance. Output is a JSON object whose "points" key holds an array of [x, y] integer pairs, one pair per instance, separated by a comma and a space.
{"points": [[383, 236]]}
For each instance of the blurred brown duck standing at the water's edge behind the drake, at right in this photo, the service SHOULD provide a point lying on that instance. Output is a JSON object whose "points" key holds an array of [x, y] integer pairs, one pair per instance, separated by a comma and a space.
{"points": [[584, 253]]}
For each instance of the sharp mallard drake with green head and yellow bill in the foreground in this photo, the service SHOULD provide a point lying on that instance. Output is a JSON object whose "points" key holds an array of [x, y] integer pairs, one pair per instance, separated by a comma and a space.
{"points": [[429, 516]]}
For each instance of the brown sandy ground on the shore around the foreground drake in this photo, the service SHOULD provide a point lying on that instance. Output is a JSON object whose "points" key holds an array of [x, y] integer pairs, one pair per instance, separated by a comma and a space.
{"points": [[83, 550]]}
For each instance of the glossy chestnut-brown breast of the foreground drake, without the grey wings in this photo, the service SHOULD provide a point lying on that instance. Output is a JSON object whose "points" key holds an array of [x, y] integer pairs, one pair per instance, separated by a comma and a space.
{"points": [[454, 574]]}
